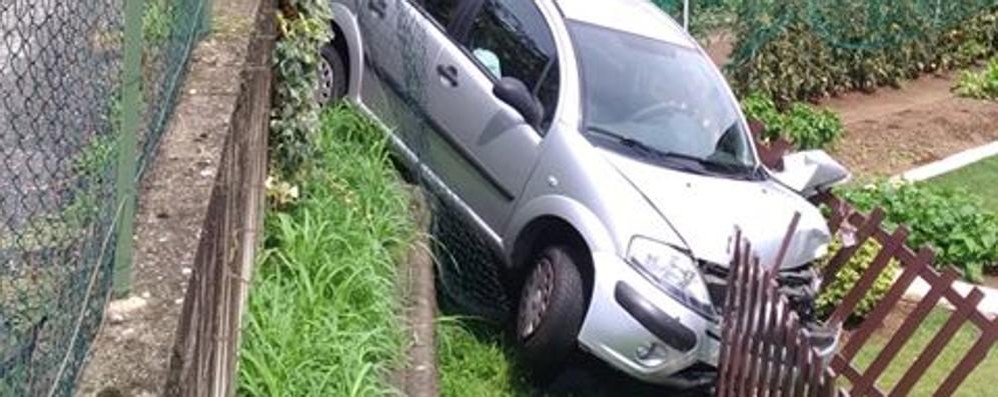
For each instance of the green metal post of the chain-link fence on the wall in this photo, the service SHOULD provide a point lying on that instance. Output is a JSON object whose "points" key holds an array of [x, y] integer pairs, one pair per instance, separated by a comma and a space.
{"points": [[127, 146]]}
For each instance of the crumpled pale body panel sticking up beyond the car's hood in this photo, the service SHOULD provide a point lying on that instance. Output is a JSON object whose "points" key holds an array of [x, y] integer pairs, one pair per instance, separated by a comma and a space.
{"points": [[811, 171]]}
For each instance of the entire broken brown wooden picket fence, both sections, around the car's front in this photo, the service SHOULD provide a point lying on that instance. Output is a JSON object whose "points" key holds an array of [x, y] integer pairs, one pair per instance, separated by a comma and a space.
{"points": [[758, 328]]}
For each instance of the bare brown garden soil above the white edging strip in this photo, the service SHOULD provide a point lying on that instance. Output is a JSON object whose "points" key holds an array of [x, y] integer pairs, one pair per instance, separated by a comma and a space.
{"points": [[893, 130]]}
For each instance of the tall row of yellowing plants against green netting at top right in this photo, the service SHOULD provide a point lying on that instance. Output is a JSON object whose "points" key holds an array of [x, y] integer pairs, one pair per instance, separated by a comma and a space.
{"points": [[797, 50]]}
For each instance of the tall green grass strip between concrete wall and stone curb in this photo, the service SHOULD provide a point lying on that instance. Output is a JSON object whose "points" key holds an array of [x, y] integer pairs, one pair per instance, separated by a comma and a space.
{"points": [[324, 309]]}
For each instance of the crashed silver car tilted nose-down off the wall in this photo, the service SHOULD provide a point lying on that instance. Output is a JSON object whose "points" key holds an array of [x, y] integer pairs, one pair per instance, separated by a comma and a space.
{"points": [[599, 154]]}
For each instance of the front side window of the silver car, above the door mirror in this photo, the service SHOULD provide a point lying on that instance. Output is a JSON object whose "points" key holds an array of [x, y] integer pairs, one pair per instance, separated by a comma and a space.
{"points": [[510, 38]]}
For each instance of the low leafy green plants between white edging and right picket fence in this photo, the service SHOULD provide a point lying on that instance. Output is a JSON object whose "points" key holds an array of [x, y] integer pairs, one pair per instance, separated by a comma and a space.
{"points": [[951, 222]]}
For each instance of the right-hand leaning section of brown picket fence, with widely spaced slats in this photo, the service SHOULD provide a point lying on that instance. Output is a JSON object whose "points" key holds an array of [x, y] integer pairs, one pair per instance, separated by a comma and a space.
{"points": [[916, 265]]}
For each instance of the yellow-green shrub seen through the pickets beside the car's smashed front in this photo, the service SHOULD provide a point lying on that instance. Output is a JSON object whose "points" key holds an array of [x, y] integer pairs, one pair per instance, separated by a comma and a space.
{"points": [[831, 295]]}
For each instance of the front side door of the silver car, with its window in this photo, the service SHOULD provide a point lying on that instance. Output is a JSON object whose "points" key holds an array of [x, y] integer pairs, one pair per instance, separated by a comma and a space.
{"points": [[484, 150]]}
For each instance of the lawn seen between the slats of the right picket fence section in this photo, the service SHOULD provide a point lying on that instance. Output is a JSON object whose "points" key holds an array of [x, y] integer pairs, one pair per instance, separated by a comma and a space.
{"points": [[977, 384]]}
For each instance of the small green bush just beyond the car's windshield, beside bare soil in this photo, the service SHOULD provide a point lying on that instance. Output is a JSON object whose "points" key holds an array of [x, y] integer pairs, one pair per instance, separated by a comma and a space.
{"points": [[803, 125]]}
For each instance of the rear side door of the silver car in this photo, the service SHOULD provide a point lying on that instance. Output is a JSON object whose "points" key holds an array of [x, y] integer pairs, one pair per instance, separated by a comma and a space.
{"points": [[402, 39]]}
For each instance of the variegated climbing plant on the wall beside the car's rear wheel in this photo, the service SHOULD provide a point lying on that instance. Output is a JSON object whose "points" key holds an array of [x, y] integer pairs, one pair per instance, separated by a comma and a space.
{"points": [[303, 27]]}
